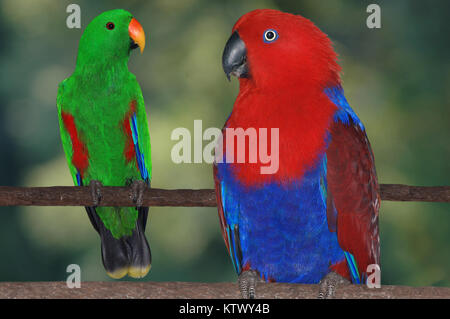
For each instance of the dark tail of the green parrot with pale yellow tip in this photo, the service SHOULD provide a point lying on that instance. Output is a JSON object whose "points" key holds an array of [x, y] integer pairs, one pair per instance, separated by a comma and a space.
{"points": [[127, 255]]}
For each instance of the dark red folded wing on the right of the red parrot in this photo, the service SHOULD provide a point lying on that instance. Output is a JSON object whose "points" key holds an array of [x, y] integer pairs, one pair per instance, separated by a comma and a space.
{"points": [[353, 194]]}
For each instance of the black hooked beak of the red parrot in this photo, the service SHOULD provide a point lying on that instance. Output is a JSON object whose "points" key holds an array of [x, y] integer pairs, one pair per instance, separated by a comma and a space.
{"points": [[234, 58]]}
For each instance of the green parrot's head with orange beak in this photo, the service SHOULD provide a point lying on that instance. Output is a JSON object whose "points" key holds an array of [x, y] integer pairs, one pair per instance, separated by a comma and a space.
{"points": [[110, 36]]}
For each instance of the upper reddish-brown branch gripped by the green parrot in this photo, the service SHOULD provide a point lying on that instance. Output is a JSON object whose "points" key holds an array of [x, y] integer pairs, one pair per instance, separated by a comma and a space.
{"points": [[121, 196]]}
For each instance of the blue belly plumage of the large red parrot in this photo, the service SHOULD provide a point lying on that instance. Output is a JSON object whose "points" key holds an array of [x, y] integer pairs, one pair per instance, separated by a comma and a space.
{"points": [[282, 229]]}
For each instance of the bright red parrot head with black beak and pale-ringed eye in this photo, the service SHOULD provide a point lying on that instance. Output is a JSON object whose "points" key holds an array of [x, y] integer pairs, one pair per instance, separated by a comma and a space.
{"points": [[269, 48]]}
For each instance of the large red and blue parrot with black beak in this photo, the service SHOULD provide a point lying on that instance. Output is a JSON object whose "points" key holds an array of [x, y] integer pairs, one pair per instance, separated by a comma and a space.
{"points": [[314, 219]]}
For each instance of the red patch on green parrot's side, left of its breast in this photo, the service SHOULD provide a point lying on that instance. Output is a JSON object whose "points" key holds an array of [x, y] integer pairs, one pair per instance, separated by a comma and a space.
{"points": [[80, 157]]}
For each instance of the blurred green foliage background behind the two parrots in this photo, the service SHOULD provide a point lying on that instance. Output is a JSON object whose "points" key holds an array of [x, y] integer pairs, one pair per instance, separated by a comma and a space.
{"points": [[397, 79]]}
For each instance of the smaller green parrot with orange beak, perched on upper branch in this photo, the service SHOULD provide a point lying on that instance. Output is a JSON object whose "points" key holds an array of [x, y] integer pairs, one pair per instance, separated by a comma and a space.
{"points": [[104, 132]]}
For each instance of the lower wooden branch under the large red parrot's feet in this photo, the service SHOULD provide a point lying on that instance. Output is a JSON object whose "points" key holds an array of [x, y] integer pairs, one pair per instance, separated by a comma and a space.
{"points": [[163, 290]]}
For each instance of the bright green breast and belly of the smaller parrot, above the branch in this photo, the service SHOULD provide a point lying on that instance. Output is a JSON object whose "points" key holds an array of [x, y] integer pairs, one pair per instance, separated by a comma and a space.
{"points": [[100, 115]]}
